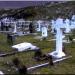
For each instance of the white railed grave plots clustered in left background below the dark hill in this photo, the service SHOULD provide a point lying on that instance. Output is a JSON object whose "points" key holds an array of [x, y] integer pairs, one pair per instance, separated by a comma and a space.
{"points": [[15, 25]]}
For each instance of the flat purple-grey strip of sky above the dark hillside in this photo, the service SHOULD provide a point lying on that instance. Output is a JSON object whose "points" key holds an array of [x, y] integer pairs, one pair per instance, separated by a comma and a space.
{"points": [[20, 4]]}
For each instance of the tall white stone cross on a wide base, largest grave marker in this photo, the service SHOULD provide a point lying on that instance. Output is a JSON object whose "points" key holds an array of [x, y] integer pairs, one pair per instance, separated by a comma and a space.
{"points": [[58, 53]]}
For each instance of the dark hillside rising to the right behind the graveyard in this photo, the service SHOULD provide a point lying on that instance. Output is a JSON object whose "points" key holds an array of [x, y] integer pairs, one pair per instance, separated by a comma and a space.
{"points": [[46, 11]]}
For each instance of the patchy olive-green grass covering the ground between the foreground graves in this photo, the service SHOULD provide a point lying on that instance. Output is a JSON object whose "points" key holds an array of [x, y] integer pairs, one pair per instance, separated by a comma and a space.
{"points": [[65, 67]]}
